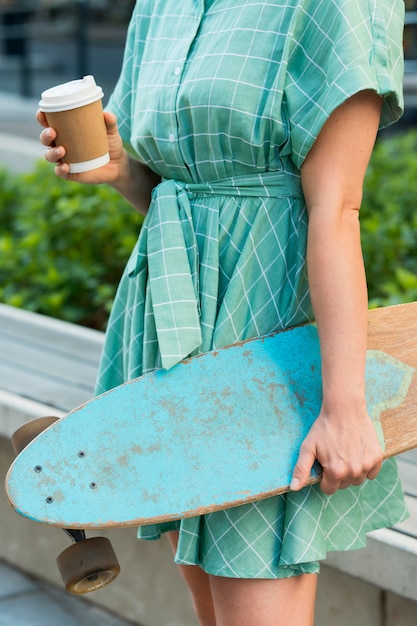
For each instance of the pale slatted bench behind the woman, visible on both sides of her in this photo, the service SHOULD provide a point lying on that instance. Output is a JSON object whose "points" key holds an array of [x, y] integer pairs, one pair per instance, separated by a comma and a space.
{"points": [[49, 366]]}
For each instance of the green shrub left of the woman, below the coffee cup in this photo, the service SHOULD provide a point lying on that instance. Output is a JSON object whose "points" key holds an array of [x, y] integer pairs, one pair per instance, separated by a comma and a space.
{"points": [[62, 245]]}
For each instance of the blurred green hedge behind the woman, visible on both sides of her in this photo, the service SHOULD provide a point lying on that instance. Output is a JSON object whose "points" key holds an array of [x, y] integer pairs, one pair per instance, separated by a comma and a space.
{"points": [[63, 246]]}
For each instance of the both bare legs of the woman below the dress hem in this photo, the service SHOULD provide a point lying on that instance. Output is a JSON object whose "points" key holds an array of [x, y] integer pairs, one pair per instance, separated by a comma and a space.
{"points": [[222, 601]]}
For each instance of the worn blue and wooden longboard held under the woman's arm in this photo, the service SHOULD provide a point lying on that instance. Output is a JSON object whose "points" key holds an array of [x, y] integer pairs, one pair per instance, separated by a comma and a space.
{"points": [[215, 431]]}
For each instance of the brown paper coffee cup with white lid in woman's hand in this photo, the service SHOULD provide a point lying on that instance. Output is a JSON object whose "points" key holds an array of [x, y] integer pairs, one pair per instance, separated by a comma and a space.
{"points": [[75, 111]]}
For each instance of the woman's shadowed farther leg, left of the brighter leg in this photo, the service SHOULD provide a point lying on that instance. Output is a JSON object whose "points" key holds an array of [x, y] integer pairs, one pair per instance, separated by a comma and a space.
{"points": [[198, 583]]}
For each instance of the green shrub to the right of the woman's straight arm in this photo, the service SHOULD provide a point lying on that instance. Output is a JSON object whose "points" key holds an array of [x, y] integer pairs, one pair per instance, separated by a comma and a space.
{"points": [[389, 221]]}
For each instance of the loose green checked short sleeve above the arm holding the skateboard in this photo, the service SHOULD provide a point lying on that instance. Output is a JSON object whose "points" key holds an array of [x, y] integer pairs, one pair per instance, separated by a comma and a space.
{"points": [[337, 49]]}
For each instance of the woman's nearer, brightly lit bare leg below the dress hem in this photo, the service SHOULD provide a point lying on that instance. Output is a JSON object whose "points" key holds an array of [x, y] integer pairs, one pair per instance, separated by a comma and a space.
{"points": [[283, 602]]}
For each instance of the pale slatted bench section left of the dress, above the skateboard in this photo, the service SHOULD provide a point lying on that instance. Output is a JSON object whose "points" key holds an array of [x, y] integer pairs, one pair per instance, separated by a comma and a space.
{"points": [[44, 363]]}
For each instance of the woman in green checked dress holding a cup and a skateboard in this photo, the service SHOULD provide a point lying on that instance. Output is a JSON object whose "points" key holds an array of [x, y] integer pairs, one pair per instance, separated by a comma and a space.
{"points": [[251, 125]]}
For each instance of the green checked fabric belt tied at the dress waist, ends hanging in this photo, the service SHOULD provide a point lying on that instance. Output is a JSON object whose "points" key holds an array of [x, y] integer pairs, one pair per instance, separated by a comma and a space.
{"points": [[168, 245]]}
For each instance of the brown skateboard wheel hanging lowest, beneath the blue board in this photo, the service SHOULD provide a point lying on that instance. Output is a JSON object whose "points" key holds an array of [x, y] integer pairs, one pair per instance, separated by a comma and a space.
{"points": [[88, 565]]}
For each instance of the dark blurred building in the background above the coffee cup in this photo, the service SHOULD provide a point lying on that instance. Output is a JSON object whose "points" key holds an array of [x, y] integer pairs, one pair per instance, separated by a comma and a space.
{"points": [[43, 42]]}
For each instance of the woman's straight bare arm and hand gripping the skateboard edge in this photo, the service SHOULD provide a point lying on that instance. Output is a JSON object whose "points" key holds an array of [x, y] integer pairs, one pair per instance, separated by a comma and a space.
{"points": [[343, 438]]}
